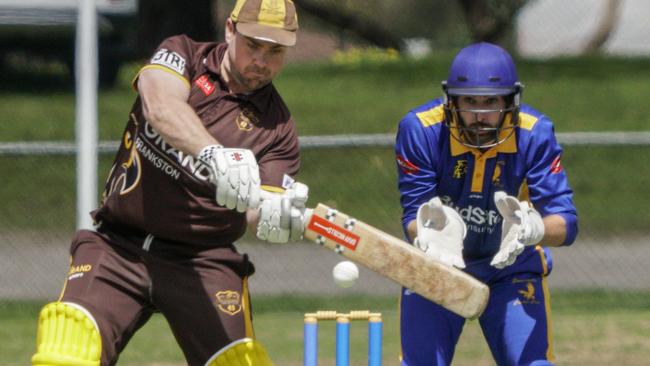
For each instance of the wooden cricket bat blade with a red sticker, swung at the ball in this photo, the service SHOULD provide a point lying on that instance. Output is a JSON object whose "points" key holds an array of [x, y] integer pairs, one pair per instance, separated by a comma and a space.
{"points": [[394, 258]]}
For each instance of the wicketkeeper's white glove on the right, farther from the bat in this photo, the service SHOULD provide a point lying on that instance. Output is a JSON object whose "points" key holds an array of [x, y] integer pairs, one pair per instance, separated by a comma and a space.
{"points": [[522, 226]]}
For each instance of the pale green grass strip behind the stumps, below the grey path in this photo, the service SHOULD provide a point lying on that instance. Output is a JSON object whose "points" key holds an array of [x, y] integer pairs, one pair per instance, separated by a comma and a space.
{"points": [[589, 328]]}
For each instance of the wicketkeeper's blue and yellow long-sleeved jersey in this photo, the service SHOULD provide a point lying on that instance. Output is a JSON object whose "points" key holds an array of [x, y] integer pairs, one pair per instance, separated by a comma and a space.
{"points": [[432, 163]]}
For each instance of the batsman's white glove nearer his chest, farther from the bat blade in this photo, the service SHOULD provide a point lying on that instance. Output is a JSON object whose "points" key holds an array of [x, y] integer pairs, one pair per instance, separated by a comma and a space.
{"points": [[235, 174]]}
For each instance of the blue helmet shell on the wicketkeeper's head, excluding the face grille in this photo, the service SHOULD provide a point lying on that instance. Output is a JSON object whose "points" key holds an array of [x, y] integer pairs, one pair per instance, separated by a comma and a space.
{"points": [[482, 69]]}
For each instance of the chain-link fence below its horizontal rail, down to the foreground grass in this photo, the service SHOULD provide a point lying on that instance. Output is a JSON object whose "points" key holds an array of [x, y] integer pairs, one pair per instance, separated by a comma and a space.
{"points": [[356, 174]]}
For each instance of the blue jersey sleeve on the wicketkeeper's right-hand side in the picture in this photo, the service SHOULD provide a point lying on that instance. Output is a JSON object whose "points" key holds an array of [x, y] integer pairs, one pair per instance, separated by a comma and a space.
{"points": [[547, 182]]}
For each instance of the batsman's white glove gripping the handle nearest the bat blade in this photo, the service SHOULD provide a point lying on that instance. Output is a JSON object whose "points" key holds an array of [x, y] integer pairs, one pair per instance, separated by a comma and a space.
{"points": [[283, 215]]}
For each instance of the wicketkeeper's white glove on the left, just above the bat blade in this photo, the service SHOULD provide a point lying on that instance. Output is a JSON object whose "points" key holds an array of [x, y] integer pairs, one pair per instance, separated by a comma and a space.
{"points": [[440, 234]]}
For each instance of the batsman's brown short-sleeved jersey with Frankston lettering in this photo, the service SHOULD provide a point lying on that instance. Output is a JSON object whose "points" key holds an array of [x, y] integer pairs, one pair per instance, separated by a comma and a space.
{"points": [[156, 189]]}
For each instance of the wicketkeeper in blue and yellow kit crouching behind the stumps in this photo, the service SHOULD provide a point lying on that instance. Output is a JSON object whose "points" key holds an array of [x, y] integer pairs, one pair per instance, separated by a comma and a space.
{"points": [[483, 189]]}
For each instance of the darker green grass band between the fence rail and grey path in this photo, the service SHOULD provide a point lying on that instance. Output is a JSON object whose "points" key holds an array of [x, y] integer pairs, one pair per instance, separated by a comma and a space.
{"points": [[359, 181]]}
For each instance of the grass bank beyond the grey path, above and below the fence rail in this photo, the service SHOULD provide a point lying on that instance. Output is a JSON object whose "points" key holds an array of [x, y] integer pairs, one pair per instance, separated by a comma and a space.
{"points": [[579, 94]]}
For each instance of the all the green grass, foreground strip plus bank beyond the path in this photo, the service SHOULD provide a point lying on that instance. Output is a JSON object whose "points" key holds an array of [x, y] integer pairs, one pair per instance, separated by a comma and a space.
{"points": [[579, 94]]}
